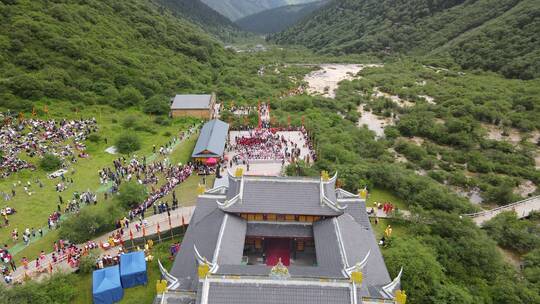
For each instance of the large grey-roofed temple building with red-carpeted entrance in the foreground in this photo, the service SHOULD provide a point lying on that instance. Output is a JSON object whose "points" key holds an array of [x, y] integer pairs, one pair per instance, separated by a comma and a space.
{"points": [[267, 239]]}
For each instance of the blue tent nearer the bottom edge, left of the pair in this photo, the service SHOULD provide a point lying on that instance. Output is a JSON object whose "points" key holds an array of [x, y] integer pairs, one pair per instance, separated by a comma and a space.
{"points": [[106, 287]]}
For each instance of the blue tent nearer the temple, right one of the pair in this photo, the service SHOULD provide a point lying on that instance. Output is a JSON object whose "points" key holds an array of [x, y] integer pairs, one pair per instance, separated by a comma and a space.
{"points": [[133, 269]]}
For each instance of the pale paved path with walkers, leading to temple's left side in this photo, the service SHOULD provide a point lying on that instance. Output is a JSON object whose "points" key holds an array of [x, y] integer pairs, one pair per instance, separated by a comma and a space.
{"points": [[150, 229]]}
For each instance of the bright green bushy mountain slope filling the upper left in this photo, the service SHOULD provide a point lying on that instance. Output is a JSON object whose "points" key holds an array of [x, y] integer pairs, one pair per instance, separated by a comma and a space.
{"points": [[114, 52]]}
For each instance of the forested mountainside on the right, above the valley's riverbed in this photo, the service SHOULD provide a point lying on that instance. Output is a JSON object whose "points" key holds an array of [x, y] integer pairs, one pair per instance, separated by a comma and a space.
{"points": [[497, 35]]}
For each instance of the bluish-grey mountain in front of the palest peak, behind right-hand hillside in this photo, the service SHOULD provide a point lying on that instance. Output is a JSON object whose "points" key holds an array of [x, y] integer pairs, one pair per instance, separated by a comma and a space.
{"points": [[278, 19]]}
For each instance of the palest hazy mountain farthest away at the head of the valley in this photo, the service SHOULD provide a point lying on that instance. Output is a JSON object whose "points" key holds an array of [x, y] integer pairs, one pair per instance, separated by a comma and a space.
{"points": [[236, 9]]}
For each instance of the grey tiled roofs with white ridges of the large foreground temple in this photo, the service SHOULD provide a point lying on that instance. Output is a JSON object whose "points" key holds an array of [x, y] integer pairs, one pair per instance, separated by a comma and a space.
{"points": [[342, 240]]}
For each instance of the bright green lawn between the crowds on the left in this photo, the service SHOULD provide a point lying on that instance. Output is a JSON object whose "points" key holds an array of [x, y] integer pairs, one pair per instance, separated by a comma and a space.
{"points": [[32, 211]]}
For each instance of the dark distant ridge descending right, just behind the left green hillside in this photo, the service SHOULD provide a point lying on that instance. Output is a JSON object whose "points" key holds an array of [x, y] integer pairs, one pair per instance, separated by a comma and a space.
{"points": [[204, 16]]}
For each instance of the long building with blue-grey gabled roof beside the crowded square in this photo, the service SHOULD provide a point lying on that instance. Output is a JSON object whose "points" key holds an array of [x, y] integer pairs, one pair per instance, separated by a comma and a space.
{"points": [[211, 141]]}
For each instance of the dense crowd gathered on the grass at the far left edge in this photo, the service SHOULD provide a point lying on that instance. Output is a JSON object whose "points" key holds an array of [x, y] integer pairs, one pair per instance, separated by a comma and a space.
{"points": [[36, 137]]}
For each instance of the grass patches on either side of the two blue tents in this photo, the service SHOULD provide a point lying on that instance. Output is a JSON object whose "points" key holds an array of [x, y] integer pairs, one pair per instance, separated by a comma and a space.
{"points": [[139, 294]]}
